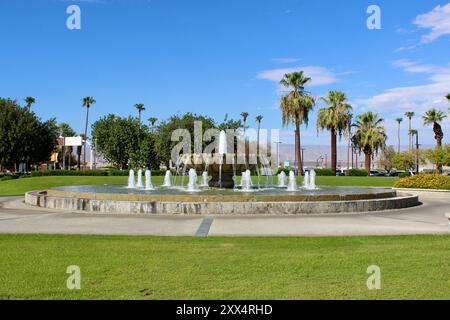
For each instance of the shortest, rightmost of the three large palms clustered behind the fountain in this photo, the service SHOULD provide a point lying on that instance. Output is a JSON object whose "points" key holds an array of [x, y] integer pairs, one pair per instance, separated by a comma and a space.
{"points": [[370, 136]]}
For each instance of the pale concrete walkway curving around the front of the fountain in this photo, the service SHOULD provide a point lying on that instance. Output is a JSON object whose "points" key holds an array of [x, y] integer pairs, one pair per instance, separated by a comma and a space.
{"points": [[429, 218]]}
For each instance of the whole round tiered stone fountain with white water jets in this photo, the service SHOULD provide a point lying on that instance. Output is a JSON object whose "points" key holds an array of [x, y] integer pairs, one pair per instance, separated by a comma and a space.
{"points": [[222, 196]]}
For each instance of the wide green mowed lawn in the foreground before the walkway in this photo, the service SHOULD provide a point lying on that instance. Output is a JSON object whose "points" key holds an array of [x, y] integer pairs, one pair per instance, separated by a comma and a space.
{"points": [[118, 267]]}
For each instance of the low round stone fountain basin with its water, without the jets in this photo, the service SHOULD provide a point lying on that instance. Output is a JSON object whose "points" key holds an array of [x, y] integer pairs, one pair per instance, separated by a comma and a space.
{"points": [[273, 200]]}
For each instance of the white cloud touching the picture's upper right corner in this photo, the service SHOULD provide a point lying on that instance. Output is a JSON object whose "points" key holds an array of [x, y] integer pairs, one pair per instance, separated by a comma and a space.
{"points": [[437, 20]]}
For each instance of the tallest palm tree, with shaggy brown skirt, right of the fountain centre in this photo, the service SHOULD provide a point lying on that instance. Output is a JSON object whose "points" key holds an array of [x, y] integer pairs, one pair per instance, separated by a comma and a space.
{"points": [[295, 108]]}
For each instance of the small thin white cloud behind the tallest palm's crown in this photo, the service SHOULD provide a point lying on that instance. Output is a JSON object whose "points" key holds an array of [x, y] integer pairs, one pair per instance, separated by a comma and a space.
{"points": [[319, 75]]}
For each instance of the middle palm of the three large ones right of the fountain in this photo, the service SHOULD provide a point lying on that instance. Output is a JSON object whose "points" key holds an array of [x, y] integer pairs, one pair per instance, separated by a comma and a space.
{"points": [[334, 118]]}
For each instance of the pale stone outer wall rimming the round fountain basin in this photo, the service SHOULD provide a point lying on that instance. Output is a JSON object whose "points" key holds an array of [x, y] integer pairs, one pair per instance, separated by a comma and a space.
{"points": [[41, 199]]}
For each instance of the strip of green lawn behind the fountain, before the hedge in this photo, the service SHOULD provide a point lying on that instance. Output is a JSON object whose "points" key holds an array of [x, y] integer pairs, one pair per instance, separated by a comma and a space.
{"points": [[20, 186]]}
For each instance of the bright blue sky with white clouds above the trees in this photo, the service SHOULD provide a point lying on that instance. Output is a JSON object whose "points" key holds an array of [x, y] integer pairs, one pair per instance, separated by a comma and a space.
{"points": [[218, 57]]}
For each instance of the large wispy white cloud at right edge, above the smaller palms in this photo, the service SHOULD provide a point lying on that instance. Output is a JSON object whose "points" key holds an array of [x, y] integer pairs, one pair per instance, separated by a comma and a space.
{"points": [[417, 98]]}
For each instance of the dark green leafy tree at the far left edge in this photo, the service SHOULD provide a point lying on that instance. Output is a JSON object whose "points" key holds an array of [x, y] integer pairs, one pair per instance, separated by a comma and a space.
{"points": [[24, 137]]}
